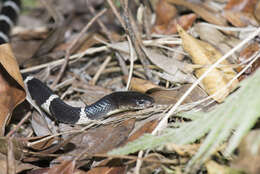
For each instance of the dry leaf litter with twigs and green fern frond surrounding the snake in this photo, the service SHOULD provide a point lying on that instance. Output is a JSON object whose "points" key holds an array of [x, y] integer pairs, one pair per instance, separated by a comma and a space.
{"points": [[200, 69]]}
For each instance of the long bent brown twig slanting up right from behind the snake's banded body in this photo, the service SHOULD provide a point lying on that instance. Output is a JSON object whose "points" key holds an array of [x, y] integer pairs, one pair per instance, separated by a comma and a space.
{"points": [[68, 51]]}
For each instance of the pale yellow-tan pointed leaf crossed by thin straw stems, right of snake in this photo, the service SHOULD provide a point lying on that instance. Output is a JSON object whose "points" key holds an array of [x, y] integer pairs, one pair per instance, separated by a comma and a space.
{"points": [[203, 53]]}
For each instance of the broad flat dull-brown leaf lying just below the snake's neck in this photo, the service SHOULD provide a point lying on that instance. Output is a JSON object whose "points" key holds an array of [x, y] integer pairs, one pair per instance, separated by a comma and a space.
{"points": [[99, 140]]}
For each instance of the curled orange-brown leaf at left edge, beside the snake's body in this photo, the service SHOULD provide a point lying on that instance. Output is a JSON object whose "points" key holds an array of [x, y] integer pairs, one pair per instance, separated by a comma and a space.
{"points": [[11, 85]]}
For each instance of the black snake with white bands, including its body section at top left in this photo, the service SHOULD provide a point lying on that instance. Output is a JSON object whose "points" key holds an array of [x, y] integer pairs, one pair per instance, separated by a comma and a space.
{"points": [[52, 104]]}
